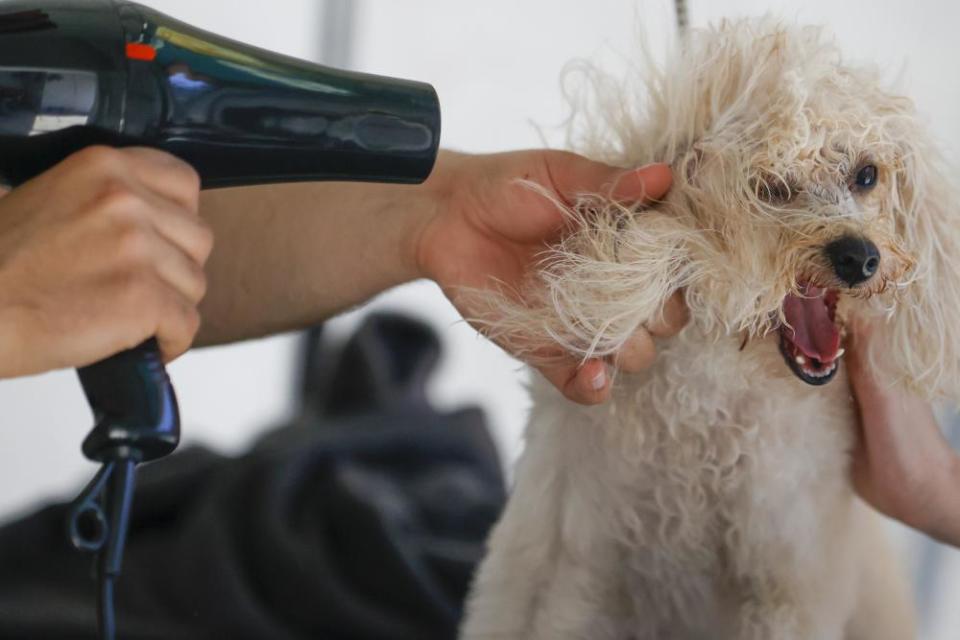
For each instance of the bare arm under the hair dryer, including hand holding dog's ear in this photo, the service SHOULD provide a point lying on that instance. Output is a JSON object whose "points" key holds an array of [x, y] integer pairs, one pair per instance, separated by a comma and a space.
{"points": [[292, 255]]}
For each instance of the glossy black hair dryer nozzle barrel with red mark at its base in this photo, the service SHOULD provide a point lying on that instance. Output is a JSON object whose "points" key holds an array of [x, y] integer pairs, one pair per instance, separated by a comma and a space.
{"points": [[242, 115]]}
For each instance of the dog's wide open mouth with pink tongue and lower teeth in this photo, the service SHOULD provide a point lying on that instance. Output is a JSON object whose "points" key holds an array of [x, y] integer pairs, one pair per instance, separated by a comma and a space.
{"points": [[810, 339]]}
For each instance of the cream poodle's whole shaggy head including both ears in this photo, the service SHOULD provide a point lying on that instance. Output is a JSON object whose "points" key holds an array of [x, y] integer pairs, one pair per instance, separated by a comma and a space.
{"points": [[804, 195]]}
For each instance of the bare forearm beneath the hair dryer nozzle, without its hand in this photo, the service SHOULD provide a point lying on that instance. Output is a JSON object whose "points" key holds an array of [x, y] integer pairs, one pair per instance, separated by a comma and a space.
{"points": [[287, 256]]}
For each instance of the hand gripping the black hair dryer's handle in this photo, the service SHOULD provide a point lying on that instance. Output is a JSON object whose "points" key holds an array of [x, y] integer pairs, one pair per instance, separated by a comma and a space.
{"points": [[97, 255]]}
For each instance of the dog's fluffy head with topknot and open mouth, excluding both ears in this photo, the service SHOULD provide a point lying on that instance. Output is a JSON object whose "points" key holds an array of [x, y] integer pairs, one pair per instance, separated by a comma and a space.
{"points": [[802, 176]]}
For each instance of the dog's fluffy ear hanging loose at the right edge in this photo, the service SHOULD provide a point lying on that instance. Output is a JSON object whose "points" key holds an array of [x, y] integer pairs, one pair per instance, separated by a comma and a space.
{"points": [[921, 337]]}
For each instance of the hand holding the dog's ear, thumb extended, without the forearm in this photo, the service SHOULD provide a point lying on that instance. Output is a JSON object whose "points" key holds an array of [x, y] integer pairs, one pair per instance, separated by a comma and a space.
{"points": [[488, 229]]}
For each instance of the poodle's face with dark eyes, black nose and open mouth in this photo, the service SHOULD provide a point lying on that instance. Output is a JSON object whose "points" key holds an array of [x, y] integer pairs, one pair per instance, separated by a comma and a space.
{"points": [[842, 244]]}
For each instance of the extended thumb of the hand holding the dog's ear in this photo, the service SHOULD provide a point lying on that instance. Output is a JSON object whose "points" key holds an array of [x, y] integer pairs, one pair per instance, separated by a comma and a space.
{"points": [[573, 174]]}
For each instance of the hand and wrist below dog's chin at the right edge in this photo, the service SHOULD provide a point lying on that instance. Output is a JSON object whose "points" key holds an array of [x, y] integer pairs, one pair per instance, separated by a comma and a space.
{"points": [[902, 464]]}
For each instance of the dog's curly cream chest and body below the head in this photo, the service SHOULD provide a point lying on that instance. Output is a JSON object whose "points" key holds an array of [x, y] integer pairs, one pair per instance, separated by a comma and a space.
{"points": [[690, 507]]}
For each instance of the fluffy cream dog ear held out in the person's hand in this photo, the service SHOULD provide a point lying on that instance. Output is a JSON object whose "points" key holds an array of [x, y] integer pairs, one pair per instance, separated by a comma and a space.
{"points": [[595, 288]]}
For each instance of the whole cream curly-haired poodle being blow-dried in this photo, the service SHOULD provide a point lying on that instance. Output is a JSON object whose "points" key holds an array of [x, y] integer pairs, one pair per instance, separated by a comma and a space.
{"points": [[710, 497]]}
